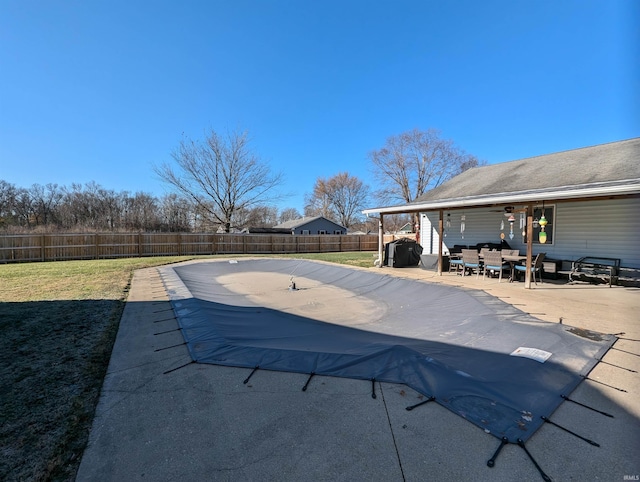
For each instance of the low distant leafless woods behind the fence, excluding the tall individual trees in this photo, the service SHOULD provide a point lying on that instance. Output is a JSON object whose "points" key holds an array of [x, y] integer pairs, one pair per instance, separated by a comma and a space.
{"points": [[91, 207]]}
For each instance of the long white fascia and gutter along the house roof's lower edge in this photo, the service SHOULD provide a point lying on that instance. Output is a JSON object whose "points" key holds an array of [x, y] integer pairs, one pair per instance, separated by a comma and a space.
{"points": [[566, 193]]}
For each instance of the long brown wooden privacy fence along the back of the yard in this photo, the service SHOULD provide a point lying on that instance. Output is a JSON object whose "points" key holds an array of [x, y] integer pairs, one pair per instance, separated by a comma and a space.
{"points": [[57, 247]]}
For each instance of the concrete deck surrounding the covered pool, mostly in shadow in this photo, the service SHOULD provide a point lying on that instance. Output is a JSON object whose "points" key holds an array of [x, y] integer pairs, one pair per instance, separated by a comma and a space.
{"points": [[201, 422]]}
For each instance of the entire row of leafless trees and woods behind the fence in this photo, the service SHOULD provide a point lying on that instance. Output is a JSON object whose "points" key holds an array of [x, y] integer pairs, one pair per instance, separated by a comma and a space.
{"points": [[220, 184]]}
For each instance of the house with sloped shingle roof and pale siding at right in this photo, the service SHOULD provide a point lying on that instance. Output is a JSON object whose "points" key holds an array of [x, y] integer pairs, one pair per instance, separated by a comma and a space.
{"points": [[589, 196]]}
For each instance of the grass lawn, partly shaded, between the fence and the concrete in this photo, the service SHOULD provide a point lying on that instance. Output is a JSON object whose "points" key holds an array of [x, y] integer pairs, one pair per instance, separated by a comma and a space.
{"points": [[58, 323]]}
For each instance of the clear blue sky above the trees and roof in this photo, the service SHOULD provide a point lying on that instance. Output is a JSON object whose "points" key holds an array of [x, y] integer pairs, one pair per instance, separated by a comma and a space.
{"points": [[101, 90]]}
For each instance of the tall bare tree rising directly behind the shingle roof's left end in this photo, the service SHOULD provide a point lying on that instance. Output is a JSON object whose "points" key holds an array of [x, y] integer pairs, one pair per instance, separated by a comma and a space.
{"points": [[414, 162]]}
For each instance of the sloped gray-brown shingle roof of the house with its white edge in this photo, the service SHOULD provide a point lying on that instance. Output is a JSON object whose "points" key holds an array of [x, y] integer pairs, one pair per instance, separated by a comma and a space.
{"points": [[606, 169]]}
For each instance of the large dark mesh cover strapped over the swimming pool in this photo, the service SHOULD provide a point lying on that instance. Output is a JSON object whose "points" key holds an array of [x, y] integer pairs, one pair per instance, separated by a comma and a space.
{"points": [[494, 365]]}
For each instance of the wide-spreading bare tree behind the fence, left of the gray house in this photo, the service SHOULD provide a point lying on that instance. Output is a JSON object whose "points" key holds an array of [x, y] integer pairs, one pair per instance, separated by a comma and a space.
{"points": [[221, 175]]}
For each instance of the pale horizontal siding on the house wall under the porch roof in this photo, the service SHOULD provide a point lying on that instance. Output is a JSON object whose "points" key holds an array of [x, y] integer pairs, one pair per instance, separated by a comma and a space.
{"points": [[608, 228]]}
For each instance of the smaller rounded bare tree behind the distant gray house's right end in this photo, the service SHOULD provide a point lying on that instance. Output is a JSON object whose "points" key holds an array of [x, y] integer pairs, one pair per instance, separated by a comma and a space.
{"points": [[340, 197]]}
